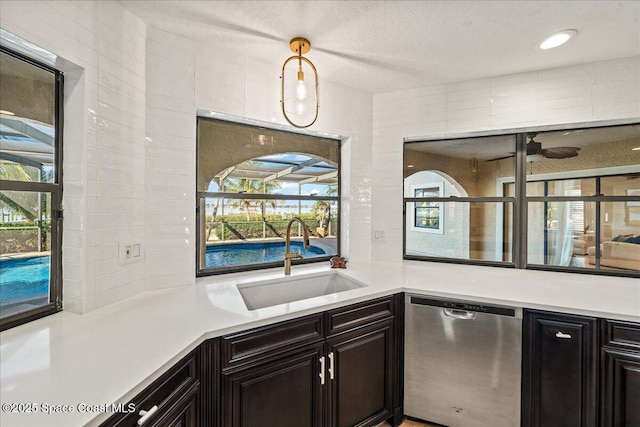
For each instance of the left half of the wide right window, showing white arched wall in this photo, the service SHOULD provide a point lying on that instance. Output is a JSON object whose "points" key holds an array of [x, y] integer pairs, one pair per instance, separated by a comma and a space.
{"points": [[452, 201]]}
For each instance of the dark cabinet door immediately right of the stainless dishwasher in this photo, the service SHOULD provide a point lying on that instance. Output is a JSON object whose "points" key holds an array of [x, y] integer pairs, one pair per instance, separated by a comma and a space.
{"points": [[559, 370]]}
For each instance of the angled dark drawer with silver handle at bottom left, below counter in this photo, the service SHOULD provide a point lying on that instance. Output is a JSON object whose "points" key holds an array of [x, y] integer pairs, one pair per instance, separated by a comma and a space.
{"points": [[176, 385]]}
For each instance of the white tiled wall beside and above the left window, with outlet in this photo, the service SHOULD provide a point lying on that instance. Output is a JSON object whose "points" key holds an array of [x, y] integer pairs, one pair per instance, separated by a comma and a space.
{"points": [[100, 48]]}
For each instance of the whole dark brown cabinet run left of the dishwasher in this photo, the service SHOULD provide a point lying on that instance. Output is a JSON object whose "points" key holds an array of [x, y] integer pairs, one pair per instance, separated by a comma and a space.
{"points": [[339, 368]]}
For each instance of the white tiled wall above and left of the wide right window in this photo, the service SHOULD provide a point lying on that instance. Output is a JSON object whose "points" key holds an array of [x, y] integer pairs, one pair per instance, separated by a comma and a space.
{"points": [[596, 91]]}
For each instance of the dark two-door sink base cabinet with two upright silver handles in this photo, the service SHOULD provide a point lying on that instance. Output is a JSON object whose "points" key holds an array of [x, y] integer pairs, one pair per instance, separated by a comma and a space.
{"points": [[329, 369]]}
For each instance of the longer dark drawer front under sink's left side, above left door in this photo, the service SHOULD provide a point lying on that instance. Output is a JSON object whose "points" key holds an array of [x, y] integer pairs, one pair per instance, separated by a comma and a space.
{"points": [[255, 344]]}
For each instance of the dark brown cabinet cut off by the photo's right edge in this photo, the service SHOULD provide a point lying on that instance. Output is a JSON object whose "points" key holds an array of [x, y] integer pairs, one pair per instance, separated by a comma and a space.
{"points": [[620, 374]]}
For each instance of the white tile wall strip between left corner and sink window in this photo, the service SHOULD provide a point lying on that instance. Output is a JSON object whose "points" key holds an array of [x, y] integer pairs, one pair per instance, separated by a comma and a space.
{"points": [[170, 161]]}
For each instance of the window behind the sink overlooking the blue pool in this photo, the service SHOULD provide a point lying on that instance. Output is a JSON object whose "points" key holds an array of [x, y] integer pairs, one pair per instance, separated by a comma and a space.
{"points": [[252, 183]]}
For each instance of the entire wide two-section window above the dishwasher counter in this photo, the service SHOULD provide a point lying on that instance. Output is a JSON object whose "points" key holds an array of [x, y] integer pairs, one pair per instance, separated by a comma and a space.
{"points": [[565, 200]]}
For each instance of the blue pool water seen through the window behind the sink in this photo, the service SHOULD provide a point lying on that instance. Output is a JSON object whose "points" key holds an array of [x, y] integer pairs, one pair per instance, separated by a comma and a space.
{"points": [[252, 253]]}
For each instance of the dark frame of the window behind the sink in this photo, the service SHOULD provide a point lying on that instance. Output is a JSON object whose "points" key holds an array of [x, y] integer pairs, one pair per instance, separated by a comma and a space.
{"points": [[201, 197]]}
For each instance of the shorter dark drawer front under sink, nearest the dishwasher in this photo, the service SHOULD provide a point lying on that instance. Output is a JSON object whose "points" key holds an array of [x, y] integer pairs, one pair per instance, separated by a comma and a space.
{"points": [[352, 316]]}
